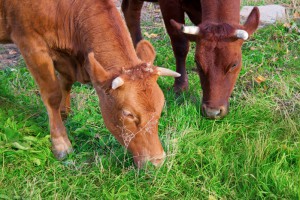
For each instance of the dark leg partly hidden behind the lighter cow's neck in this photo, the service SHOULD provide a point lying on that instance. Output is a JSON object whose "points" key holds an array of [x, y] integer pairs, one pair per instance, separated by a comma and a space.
{"points": [[132, 14]]}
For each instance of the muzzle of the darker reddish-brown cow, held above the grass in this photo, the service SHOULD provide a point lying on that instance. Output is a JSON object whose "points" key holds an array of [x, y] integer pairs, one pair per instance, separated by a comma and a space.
{"points": [[214, 112]]}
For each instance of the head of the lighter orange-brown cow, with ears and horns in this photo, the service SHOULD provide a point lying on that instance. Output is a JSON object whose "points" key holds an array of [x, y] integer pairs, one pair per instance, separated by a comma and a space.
{"points": [[131, 104]]}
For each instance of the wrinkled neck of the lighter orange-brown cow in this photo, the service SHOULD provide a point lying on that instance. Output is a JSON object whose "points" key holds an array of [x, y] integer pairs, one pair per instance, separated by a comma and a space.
{"points": [[104, 33]]}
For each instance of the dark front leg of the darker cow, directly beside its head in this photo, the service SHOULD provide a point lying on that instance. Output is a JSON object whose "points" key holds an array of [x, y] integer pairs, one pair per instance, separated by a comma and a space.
{"points": [[180, 43]]}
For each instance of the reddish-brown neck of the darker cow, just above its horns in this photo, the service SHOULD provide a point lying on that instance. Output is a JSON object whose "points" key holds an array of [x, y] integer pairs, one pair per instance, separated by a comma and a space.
{"points": [[221, 11]]}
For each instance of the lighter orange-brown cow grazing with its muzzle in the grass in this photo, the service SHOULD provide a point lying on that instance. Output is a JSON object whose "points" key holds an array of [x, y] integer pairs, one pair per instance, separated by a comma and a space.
{"points": [[87, 40]]}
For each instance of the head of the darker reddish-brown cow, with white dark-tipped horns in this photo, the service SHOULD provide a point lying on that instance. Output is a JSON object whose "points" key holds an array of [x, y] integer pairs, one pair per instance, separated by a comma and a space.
{"points": [[219, 60]]}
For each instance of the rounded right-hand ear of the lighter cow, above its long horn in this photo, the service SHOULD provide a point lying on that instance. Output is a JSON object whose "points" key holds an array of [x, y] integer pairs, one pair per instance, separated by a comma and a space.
{"points": [[145, 51]]}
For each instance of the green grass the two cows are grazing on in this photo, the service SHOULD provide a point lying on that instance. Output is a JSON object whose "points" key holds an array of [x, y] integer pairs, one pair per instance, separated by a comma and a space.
{"points": [[253, 153]]}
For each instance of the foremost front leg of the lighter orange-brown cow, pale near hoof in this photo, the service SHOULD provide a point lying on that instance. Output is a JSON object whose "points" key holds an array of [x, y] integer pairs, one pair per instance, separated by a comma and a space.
{"points": [[41, 67]]}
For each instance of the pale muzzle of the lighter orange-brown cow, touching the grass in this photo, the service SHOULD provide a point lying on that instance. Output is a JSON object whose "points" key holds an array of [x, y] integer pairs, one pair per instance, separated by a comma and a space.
{"points": [[157, 161]]}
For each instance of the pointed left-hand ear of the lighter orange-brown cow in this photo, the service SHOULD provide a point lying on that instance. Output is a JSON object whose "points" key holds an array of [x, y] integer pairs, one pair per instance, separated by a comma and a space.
{"points": [[96, 71]]}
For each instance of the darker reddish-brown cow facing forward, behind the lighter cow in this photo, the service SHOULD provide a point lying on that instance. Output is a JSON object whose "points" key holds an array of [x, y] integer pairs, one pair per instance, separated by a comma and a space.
{"points": [[218, 36]]}
